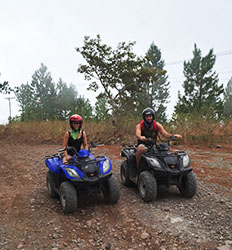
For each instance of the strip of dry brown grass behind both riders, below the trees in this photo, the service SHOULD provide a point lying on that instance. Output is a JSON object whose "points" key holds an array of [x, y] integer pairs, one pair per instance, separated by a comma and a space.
{"points": [[194, 131]]}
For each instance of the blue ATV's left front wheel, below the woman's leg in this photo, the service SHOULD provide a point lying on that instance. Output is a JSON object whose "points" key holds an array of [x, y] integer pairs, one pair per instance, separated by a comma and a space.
{"points": [[68, 197]]}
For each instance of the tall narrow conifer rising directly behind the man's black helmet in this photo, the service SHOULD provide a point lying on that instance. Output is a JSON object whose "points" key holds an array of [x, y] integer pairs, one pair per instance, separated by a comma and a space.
{"points": [[155, 94]]}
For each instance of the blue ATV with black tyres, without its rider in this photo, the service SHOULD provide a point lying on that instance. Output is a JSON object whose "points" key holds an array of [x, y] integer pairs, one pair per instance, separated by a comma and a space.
{"points": [[84, 173]]}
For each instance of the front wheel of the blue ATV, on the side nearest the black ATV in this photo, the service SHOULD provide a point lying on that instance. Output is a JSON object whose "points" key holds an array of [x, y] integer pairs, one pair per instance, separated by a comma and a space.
{"points": [[111, 190]]}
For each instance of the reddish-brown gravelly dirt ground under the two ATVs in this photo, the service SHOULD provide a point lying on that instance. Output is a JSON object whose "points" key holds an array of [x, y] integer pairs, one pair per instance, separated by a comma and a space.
{"points": [[30, 219]]}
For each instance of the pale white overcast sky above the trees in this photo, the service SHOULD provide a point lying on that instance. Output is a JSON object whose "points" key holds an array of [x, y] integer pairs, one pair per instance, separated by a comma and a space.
{"points": [[48, 31]]}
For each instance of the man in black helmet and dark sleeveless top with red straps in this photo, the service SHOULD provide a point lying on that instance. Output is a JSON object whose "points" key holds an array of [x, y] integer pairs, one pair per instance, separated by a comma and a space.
{"points": [[149, 128]]}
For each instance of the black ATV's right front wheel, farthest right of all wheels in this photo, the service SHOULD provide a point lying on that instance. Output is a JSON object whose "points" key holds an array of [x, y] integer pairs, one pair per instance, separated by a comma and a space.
{"points": [[188, 186]]}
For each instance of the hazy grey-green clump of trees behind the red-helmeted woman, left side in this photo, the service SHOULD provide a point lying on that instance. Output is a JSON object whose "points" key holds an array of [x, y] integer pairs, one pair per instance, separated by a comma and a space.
{"points": [[42, 99]]}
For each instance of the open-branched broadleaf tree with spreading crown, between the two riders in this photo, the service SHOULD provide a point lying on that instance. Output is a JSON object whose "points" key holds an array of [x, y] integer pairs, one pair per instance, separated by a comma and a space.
{"points": [[118, 72]]}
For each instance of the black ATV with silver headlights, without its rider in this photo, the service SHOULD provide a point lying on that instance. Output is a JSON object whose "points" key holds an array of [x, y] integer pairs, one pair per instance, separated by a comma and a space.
{"points": [[158, 166]]}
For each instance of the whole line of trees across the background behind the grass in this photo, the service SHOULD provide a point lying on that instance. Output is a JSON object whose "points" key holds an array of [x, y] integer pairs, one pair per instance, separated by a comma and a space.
{"points": [[127, 84]]}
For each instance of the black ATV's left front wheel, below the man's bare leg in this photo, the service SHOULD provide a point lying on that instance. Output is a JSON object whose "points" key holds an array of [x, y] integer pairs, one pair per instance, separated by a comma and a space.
{"points": [[147, 186]]}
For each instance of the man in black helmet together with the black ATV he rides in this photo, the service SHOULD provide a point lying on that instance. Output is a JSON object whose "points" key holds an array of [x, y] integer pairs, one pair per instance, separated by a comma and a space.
{"points": [[156, 164]]}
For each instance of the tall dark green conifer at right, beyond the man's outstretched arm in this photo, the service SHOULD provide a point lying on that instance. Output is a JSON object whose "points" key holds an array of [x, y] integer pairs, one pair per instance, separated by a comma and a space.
{"points": [[201, 90]]}
